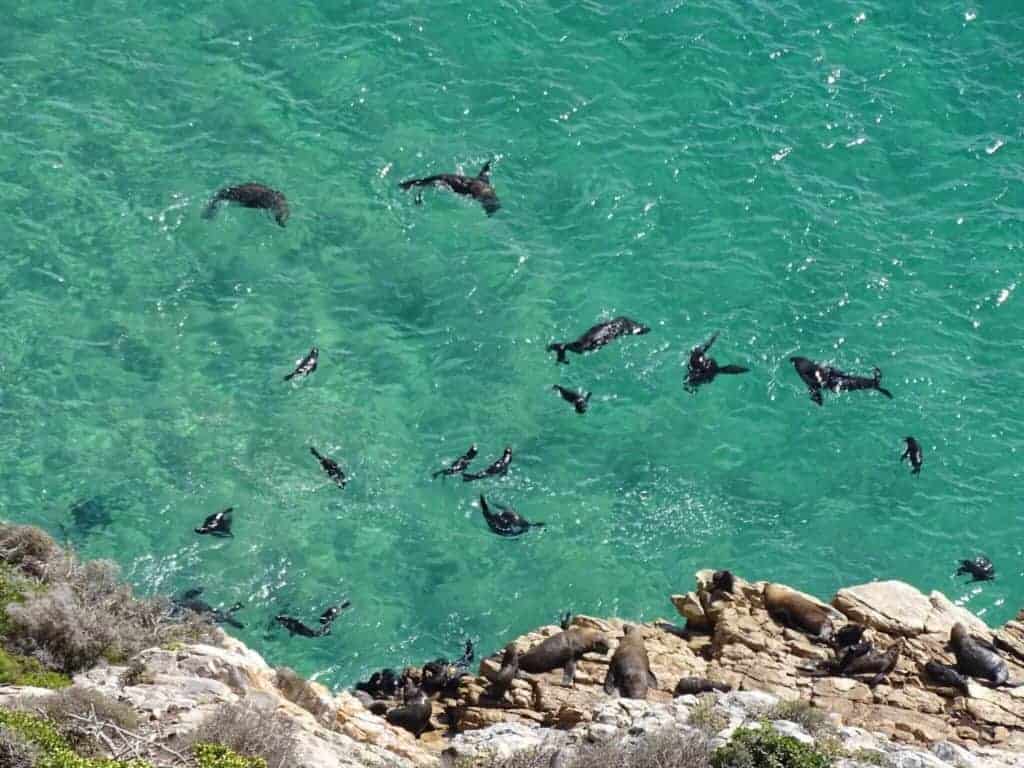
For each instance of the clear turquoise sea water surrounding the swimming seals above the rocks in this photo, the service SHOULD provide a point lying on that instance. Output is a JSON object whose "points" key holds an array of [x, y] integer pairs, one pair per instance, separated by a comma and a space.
{"points": [[840, 181]]}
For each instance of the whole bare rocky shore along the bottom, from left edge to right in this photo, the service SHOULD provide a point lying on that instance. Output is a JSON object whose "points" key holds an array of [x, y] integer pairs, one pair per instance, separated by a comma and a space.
{"points": [[729, 637]]}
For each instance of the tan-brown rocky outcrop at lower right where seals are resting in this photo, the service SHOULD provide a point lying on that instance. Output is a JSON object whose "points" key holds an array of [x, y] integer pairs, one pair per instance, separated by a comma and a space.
{"points": [[732, 638]]}
